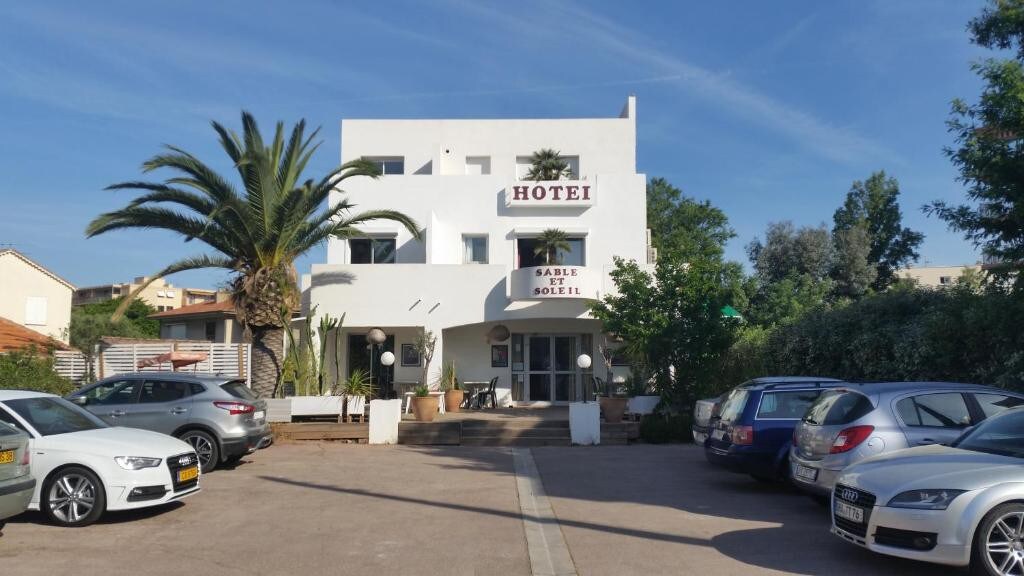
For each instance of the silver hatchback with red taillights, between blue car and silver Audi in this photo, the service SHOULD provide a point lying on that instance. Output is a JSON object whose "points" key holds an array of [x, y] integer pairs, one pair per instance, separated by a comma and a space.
{"points": [[850, 424]]}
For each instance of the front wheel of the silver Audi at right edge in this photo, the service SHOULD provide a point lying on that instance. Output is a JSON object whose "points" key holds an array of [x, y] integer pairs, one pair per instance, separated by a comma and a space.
{"points": [[999, 543]]}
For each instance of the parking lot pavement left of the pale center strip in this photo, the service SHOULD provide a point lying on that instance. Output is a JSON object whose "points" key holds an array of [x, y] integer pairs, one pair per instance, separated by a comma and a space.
{"points": [[296, 510]]}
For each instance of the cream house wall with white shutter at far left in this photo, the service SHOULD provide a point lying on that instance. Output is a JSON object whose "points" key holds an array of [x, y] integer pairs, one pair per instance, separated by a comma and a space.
{"points": [[34, 298]]}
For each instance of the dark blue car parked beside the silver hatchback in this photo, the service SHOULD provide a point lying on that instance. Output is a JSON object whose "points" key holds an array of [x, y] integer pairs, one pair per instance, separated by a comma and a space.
{"points": [[753, 431]]}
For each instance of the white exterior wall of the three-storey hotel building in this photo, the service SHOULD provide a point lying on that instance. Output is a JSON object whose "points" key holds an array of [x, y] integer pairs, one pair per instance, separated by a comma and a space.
{"points": [[431, 287]]}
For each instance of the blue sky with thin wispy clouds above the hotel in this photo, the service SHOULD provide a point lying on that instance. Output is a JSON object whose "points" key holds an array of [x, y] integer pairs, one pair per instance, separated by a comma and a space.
{"points": [[770, 110]]}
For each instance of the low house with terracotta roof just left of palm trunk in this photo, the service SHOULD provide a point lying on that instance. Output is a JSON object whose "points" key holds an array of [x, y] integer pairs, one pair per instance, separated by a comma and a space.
{"points": [[214, 322]]}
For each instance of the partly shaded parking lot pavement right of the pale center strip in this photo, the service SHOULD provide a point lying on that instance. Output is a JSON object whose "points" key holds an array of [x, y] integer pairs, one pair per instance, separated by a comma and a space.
{"points": [[663, 510]]}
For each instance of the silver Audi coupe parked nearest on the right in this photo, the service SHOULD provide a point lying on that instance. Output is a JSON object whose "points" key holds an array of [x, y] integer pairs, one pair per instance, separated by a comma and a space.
{"points": [[960, 505]]}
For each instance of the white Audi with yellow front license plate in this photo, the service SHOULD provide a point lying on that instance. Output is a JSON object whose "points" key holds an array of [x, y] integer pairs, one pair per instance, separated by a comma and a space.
{"points": [[86, 468]]}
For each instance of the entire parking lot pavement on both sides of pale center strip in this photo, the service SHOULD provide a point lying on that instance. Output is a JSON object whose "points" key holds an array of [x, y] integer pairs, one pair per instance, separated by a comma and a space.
{"points": [[330, 509]]}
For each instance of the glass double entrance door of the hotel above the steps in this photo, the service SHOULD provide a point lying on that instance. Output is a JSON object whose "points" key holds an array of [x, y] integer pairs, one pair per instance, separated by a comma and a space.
{"points": [[551, 367]]}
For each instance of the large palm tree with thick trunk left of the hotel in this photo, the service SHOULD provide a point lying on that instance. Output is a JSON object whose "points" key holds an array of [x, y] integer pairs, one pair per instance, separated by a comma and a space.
{"points": [[257, 235]]}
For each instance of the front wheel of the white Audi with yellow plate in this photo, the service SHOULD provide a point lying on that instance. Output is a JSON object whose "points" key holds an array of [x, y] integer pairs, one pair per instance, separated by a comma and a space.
{"points": [[73, 498]]}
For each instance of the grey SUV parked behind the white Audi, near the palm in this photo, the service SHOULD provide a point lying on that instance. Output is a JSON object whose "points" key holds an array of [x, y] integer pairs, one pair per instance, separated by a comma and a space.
{"points": [[221, 418]]}
